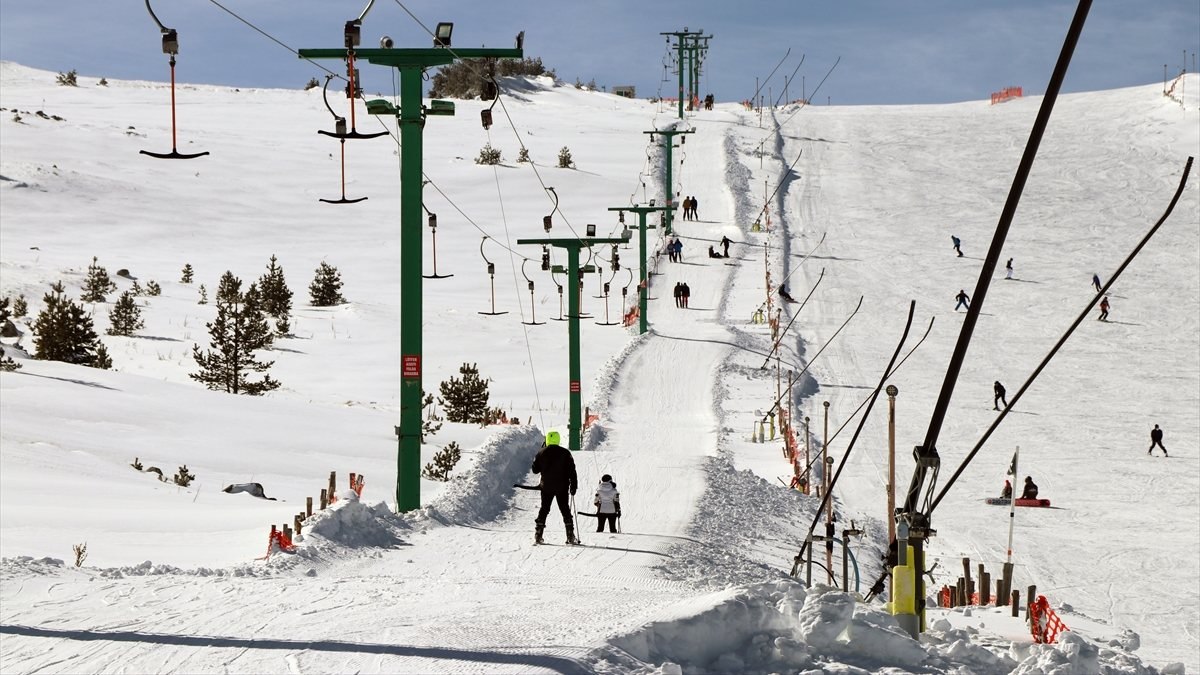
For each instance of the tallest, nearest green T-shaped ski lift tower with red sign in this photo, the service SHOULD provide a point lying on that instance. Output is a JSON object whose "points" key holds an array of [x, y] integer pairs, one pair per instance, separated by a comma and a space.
{"points": [[412, 64]]}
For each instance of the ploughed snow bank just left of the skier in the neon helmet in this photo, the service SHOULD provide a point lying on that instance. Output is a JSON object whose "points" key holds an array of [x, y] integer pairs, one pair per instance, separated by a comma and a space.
{"points": [[485, 492]]}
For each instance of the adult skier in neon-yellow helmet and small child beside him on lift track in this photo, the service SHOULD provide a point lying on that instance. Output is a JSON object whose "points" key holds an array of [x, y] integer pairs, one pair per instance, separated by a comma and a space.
{"points": [[561, 482]]}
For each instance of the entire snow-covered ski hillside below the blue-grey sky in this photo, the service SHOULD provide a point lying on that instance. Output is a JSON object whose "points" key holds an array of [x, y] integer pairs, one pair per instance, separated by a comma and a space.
{"points": [[698, 581]]}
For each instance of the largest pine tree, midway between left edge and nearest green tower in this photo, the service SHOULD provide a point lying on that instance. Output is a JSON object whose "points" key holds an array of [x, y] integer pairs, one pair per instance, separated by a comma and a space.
{"points": [[237, 333]]}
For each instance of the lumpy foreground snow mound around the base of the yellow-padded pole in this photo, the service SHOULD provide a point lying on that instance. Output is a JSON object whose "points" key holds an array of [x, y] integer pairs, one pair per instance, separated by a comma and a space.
{"points": [[781, 628]]}
